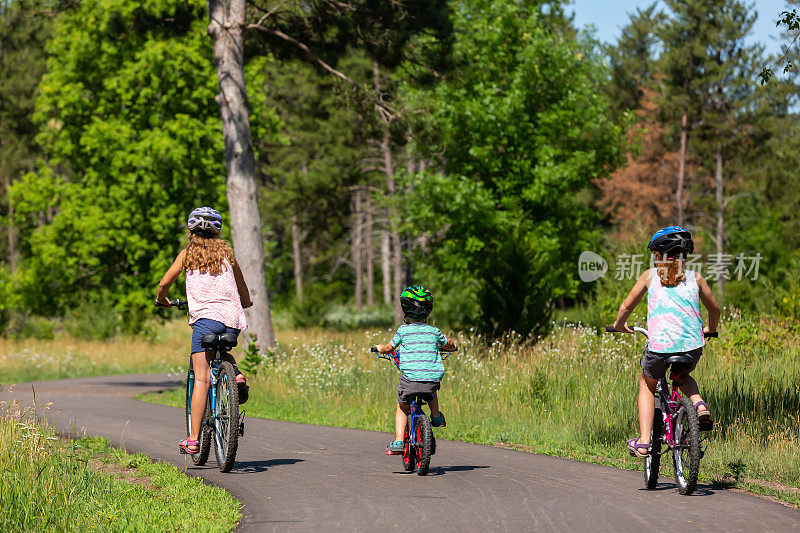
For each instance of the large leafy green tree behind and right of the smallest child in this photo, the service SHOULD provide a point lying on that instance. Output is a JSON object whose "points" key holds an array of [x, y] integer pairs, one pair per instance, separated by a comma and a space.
{"points": [[514, 210]]}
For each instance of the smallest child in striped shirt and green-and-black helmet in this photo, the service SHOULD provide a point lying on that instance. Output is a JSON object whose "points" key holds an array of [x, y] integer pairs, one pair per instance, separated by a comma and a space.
{"points": [[417, 345]]}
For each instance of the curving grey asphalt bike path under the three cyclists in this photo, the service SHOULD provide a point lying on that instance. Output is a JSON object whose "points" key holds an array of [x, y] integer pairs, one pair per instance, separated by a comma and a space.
{"points": [[297, 477]]}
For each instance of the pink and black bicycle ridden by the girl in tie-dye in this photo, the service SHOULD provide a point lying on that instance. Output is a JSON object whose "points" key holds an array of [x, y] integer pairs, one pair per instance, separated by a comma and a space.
{"points": [[675, 427]]}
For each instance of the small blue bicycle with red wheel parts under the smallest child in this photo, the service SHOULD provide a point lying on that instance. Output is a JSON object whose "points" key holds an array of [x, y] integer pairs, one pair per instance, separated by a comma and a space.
{"points": [[419, 442]]}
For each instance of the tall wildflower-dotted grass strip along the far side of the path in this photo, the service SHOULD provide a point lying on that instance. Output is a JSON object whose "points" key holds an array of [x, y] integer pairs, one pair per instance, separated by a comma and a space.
{"points": [[571, 395]]}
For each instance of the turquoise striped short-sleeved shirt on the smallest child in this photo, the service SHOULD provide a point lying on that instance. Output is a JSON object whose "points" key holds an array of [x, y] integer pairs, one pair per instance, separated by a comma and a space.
{"points": [[417, 345]]}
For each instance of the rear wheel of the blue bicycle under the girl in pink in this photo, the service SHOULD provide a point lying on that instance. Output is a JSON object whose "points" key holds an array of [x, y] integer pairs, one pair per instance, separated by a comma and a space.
{"points": [[226, 417]]}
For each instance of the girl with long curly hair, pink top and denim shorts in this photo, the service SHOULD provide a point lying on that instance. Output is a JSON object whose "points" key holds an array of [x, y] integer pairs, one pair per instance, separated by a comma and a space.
{"points": [[217, 296]]}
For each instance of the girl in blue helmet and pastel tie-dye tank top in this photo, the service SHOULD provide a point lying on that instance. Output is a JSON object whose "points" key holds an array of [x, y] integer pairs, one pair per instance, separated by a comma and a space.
{"points": [[674, 326]]}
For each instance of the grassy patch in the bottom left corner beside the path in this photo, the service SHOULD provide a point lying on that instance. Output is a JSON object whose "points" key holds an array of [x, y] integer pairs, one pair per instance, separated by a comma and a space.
{"points": [[52, 484]]}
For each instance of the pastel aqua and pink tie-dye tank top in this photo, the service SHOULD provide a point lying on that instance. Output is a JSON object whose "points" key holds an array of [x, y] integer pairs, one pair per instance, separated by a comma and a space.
{"points": [[673, 315]]}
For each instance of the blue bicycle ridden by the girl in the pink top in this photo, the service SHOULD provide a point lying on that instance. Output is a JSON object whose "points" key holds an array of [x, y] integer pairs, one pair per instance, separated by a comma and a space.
{"points": [[222, 422]]}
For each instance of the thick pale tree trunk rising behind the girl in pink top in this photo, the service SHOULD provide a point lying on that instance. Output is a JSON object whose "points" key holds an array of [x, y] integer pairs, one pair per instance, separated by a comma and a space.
{"points": [[225, 28]]}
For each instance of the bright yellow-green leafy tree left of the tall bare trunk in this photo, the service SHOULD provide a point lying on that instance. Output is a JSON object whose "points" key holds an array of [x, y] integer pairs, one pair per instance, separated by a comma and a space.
{"points": [[127, 115]]}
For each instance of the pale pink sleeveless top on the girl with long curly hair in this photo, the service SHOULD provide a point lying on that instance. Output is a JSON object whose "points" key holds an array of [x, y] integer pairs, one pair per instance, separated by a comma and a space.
{"points": [[215, 296]]}
